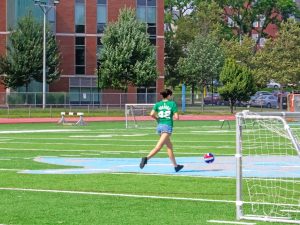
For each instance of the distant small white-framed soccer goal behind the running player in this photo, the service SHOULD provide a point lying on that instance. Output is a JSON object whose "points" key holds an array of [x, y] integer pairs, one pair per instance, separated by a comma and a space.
{"points": [[138, 115]]}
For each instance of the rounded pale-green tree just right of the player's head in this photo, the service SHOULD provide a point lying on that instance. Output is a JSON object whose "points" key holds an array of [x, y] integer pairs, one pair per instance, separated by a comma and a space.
{"points": [[203, 62]]}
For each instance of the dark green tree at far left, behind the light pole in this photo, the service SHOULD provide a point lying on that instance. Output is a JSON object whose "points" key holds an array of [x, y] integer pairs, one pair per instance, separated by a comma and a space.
{"points": [[24, 59]]}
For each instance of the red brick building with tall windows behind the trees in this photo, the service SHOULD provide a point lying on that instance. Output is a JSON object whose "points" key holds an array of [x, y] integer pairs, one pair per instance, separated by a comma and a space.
{"points": [[79, 26]]}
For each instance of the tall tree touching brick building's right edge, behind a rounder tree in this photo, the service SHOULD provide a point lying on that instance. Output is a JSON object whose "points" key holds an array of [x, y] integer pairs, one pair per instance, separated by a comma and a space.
{"points": [[205, 19]]}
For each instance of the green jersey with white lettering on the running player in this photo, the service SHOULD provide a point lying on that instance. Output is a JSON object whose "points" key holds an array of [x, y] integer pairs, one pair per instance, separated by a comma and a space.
{"points": [[165, 111]]}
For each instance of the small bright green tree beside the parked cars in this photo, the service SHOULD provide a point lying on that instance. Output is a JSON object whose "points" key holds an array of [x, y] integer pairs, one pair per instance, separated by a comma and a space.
{"points": [[238, 83]]}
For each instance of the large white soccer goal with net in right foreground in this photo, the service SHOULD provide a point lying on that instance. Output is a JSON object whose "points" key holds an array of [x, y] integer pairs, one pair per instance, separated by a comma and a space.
{"points": [[268, 168]]}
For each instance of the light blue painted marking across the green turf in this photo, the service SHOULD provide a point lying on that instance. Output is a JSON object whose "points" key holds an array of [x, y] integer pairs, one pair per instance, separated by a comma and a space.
{"points": [[223, 166]]}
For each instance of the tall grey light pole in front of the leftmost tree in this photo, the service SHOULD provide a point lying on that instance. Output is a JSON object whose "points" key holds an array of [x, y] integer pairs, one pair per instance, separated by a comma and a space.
{"points": [[46, 6]]}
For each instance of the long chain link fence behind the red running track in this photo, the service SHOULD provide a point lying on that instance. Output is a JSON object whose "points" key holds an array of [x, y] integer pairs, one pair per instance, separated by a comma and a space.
{"points": [[29, 104]]}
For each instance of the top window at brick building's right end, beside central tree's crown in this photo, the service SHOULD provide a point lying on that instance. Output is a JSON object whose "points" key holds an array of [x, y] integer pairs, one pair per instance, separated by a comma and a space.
{"points": [[146, 12]]}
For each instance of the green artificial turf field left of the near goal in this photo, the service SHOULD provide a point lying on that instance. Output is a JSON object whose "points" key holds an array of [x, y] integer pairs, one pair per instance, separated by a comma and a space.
{"points": [[106, 197]]}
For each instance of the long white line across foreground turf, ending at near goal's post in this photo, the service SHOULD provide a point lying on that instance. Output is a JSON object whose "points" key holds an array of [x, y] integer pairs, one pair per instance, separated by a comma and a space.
{"points": [[117, 195]]}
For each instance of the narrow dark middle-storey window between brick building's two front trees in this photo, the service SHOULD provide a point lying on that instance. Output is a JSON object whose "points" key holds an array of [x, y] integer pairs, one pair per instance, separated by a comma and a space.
{"points": [[80, 55]]}
